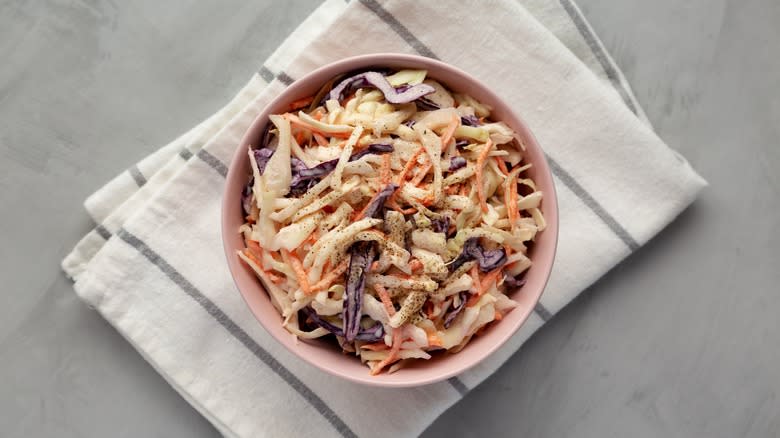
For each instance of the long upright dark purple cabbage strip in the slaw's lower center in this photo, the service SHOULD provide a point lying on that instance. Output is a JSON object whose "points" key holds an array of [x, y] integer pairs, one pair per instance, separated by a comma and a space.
{"points": [[361, 256]]}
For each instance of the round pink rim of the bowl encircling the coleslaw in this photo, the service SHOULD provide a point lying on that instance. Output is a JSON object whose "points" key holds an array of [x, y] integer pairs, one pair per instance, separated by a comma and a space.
{"points": [[550, 205]]}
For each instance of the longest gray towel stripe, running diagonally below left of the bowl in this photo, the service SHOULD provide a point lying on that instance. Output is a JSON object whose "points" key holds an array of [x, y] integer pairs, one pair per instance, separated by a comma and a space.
{"points": [[237, 332]]}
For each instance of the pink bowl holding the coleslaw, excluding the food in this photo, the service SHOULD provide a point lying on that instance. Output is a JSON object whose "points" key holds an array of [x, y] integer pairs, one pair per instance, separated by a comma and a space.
{"points": [[325, 355]]}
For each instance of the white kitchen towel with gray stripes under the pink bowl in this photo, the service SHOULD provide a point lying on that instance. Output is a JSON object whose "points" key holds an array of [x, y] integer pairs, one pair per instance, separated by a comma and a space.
{"points": [[154, 266]]}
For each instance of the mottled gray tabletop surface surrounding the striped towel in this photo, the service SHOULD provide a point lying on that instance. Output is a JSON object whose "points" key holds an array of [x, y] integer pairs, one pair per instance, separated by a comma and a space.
{"points": [[682, 339]]}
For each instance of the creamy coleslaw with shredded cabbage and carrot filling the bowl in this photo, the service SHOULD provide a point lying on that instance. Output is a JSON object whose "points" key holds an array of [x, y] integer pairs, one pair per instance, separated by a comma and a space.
{"points": [[390, 213]]}
